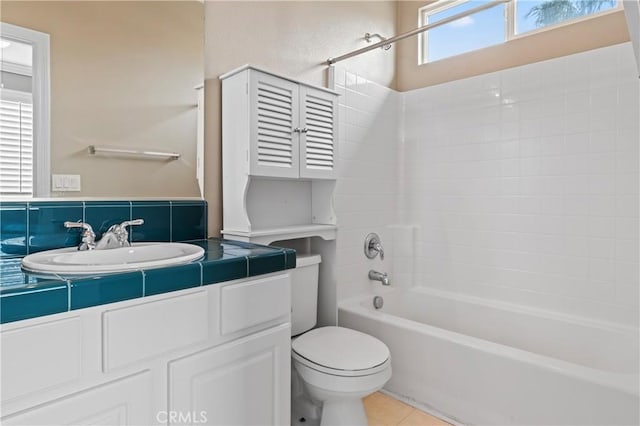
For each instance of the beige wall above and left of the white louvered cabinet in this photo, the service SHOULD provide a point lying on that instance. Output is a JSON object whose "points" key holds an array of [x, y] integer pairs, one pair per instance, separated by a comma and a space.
{"points": [[292, 38]]}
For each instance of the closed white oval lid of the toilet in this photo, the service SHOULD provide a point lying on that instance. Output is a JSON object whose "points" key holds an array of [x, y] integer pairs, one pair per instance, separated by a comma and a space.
{"points": [[341, 348]]}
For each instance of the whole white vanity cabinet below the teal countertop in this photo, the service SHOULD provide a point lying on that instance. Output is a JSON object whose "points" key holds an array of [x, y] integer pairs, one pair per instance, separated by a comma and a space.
{"points": [[216, 354]]}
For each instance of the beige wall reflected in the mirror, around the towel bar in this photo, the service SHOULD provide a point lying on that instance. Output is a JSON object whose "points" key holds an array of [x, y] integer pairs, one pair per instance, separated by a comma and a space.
{"points": [[123, 74]]}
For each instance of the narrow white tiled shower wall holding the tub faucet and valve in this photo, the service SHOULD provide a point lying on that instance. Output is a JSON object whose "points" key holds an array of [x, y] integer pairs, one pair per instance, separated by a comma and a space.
{"points": [[365, 197]]}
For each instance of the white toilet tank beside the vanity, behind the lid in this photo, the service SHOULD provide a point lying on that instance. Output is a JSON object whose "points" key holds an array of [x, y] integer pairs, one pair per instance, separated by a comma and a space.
{"points": [[304, 293]]}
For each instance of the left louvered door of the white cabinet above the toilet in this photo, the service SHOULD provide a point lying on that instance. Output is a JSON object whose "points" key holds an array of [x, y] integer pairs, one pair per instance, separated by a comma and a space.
{"points": [[274, 149]]}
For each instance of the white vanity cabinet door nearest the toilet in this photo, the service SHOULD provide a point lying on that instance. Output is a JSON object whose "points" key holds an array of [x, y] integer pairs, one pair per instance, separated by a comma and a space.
{"points": [[245, 382]]}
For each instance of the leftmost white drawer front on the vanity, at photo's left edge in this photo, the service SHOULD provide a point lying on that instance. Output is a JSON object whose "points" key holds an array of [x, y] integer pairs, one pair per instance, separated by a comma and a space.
{"points": [[40, 357]]}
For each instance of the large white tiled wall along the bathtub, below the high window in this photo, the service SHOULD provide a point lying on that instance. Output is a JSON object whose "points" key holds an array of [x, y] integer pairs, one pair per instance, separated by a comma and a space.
{"points": [[524, 184]]}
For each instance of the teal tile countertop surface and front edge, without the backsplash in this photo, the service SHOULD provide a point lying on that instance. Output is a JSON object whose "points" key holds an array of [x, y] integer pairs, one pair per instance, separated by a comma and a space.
{"points": [[24, 295]]}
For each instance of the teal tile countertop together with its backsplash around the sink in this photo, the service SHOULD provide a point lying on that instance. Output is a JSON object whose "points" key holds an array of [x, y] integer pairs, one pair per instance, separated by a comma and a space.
{"points": [[24, 295]]}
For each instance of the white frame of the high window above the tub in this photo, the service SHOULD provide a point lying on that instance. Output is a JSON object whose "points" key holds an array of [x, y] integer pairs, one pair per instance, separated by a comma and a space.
{"points": [[510, 18]]}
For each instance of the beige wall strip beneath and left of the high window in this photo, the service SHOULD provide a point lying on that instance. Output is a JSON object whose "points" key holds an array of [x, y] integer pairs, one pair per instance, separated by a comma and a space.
{"points": [[586, 35]]}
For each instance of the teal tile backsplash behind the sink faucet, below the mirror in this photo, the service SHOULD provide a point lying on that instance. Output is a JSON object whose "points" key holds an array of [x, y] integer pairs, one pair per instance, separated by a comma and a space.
{"points": [[29, 227]]}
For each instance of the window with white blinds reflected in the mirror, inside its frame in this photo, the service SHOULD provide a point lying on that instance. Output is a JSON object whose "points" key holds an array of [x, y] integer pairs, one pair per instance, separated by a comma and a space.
{"points": [[16, 118]]}
